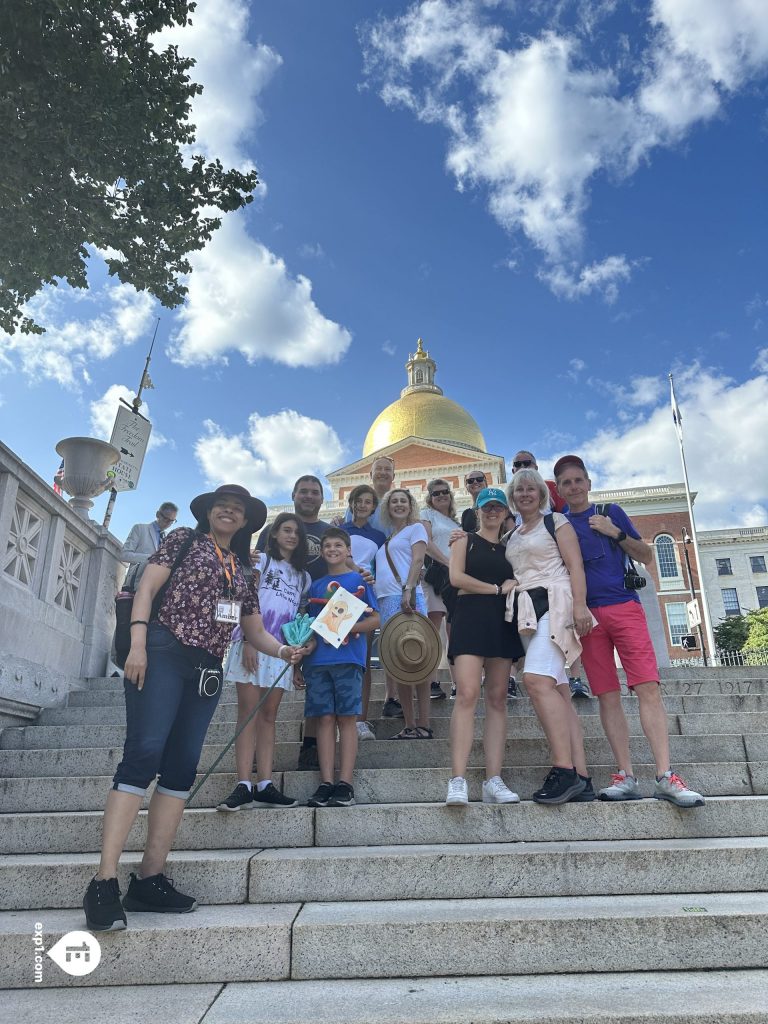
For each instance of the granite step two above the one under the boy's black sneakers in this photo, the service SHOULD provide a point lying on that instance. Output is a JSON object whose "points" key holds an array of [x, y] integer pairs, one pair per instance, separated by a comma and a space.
{"points": [[391, 754]]}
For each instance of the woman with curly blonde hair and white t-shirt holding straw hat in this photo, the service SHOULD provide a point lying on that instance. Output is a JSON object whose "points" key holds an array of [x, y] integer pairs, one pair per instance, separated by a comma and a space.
{"points": [[399, 566]]}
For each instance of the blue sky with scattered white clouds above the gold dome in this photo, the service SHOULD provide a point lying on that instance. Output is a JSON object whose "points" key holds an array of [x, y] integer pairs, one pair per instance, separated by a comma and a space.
{"points": [[566, 200]]}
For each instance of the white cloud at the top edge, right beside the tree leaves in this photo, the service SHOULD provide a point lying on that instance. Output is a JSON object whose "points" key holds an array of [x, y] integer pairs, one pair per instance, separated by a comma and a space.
{"points": [[233, 72]]}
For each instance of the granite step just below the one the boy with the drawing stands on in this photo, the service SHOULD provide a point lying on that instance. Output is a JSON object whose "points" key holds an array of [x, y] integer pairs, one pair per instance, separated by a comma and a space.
{"points": [[411, 873]]}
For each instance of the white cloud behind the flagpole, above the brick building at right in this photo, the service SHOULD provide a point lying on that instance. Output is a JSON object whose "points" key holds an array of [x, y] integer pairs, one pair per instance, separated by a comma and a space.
{"points": [[721, 421]]}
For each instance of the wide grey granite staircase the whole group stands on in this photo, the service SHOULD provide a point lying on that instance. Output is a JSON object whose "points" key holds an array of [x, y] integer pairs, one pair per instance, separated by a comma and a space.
{"points": [[399, 909]]}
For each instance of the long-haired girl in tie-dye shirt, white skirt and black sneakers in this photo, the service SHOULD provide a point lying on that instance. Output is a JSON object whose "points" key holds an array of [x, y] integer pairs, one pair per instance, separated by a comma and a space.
{"points": [[283, 588]]}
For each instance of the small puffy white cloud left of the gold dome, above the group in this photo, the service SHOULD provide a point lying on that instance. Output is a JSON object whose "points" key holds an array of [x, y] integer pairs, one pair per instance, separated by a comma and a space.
{"points": [[270, 456]]}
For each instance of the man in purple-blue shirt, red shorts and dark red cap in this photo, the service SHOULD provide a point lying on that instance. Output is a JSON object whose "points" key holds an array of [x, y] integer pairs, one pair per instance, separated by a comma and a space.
{"points": [[606, 542]]}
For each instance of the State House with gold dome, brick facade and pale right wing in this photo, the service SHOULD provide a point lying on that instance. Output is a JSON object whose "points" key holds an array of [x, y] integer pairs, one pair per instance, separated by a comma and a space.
{"points": [[429, 436]]}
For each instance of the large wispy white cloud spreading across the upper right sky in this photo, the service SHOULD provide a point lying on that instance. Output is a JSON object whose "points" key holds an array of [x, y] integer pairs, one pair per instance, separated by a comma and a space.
{"points": [[539, 123]]}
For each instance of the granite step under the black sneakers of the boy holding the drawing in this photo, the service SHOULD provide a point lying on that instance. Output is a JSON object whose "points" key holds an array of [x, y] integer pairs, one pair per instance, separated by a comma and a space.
{"points": [[383, 825]]}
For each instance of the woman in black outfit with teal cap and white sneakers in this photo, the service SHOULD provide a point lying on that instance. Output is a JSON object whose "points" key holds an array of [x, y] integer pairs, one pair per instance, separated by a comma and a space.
{"points": [[481, 638]]}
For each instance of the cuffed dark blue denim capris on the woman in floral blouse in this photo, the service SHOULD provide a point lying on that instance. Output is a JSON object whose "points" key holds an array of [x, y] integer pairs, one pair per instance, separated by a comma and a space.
{"points": [[167, 720]]}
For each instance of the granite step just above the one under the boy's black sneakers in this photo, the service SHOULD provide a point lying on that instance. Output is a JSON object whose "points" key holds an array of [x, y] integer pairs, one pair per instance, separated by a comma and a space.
{"points": [[376, 786]]}
